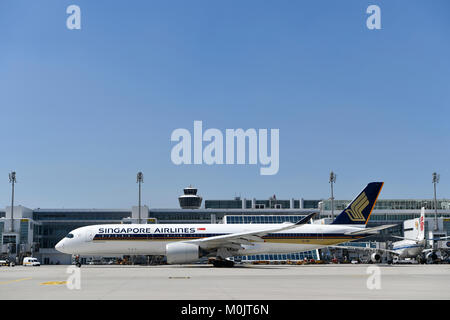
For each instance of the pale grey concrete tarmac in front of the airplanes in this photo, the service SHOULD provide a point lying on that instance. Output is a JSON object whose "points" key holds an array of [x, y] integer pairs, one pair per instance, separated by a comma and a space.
{"points": [[242, 282]]}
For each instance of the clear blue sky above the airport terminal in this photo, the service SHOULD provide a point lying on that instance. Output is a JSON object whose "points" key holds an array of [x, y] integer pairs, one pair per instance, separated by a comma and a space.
{"points": [[84, 110]]}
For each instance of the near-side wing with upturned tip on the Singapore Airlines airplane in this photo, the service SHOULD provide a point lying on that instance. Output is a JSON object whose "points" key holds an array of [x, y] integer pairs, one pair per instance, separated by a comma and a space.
{"points": [[247, 237]]}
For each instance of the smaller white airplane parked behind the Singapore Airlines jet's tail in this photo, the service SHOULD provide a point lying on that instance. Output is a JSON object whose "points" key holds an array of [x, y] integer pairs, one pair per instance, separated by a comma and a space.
{"points": [[407, 248]]}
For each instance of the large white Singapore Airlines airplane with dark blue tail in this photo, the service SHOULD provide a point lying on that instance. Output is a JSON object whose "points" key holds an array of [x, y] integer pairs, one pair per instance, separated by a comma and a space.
{"points": [[187, 243]]}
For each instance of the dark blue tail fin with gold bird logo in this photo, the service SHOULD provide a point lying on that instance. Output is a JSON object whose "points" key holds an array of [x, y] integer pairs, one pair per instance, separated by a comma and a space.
{"points": [[359, 210]]}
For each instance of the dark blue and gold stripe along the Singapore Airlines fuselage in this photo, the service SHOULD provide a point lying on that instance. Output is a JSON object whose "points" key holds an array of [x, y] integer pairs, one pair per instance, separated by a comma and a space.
{"points": [[293, 238]]}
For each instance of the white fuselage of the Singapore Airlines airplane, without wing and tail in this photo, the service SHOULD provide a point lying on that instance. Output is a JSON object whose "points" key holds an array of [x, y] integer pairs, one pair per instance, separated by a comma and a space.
{"points": [[152, 239]]}
